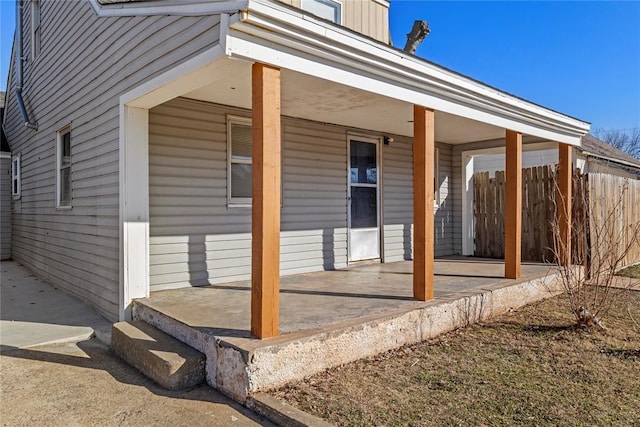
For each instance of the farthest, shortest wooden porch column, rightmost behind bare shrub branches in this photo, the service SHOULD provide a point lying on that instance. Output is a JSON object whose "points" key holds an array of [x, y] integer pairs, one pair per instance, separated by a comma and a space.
{"points": [[563, 206]]}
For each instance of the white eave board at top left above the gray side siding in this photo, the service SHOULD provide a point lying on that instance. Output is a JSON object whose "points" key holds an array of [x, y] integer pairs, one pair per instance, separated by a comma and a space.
{"points": [[168, 7]]}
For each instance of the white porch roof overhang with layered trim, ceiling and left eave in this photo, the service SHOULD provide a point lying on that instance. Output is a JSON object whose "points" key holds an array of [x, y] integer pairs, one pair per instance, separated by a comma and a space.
{"points": [[338, 76]]}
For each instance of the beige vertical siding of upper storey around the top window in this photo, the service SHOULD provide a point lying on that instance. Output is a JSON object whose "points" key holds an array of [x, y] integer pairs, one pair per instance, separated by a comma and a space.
{"points": [[368, 17]]}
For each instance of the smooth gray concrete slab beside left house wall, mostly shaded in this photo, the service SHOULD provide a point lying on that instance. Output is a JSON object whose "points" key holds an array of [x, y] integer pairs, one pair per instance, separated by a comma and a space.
{"points": [[32, 312]]}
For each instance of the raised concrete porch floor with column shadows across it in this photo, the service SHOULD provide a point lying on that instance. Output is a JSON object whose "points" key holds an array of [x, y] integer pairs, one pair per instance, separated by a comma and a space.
{"points": [[313, 300]]}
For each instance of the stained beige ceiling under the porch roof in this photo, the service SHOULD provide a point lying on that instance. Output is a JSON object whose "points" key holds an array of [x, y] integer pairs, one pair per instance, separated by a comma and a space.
{"points": [[311, 98]]}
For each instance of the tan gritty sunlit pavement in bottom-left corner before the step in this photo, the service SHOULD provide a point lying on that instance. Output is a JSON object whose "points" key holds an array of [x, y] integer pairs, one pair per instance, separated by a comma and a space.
{"points": [[84, 384]]}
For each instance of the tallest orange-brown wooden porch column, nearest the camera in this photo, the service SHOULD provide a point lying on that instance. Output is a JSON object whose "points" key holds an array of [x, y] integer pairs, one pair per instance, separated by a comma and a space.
{"points": [[265, 230]]}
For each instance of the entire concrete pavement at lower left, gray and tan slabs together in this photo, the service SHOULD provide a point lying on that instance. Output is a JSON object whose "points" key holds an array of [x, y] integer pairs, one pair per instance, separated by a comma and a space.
{"points": [[53, 373]]}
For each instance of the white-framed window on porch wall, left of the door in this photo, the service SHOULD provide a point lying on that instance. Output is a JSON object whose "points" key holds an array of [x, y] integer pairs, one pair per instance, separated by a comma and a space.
{"points": [[239, 164]]}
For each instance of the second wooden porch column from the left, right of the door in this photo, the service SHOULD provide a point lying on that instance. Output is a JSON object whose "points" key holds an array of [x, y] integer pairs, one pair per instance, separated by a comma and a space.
{"points": [[423, 193]]}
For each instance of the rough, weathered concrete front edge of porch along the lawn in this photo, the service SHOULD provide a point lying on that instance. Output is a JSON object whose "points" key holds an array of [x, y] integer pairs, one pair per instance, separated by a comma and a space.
{"points": [[270, 367]]}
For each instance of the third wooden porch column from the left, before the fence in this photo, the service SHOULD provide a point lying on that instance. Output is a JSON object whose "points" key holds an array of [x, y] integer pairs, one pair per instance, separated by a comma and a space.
{"points": [[513, 205]]}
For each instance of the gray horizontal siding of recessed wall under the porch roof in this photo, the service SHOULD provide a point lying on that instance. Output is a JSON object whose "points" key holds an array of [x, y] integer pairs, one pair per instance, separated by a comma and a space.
{"points": [[196, 239]]}
